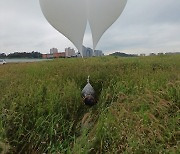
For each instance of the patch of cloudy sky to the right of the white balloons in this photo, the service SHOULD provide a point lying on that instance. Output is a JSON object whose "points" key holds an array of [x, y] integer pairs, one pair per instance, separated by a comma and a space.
{"points": [[149, 25]]}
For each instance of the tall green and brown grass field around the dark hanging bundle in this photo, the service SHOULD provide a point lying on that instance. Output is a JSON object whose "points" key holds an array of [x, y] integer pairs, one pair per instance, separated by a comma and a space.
{"points": [[137, 111]]}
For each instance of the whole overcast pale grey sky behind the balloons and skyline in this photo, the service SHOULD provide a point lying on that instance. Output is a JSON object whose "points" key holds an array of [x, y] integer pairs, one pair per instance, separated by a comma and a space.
{"points": [[145, 26]]}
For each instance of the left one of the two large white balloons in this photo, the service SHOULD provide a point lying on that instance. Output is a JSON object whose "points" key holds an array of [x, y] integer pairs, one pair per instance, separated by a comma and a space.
{"points": [[68, 17]]}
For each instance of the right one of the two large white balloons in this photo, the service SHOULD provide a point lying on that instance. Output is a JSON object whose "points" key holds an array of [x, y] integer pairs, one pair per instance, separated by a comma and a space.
{"points": [[102, 14]]}
